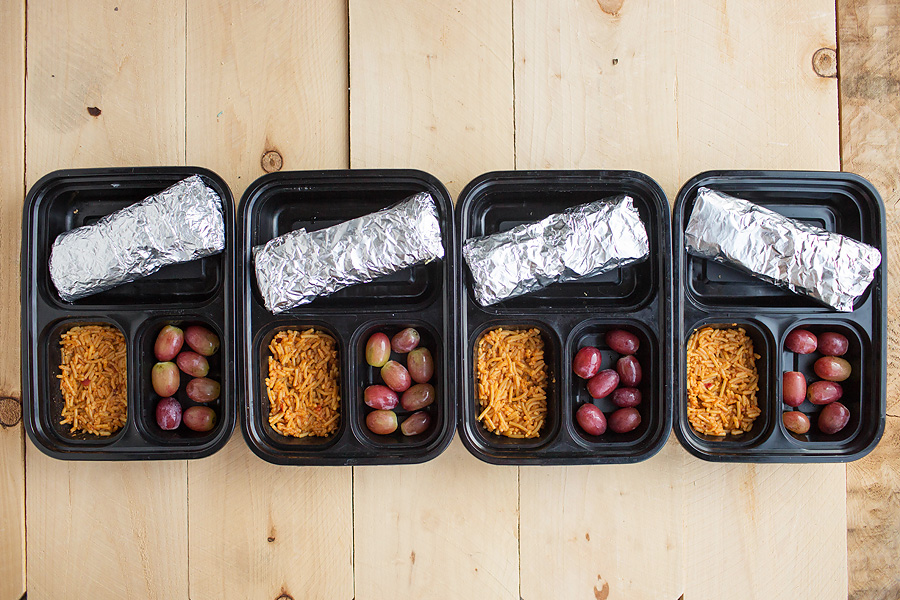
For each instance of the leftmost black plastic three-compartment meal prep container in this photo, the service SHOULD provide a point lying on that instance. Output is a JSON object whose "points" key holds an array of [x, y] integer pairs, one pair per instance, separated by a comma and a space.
{"points": [[197, 292]]}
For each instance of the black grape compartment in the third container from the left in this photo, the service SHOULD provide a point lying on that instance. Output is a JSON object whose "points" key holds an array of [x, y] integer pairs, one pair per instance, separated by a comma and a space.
{"points": [[652, 406]]}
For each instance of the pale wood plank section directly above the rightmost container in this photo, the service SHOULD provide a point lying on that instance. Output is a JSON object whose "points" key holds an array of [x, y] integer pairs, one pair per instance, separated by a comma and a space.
{"points": [[747, 93]]}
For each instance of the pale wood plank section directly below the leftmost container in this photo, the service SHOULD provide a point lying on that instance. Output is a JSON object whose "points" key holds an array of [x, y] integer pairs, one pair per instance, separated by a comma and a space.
{"points": [[114, 530]]}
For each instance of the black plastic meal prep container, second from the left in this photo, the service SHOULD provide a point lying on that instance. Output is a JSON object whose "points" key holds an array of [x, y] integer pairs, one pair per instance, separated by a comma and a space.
{"points": [[420, 297]]}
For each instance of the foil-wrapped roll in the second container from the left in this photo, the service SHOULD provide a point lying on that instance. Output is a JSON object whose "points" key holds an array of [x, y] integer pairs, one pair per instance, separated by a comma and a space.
{"points": [[299, 266]]}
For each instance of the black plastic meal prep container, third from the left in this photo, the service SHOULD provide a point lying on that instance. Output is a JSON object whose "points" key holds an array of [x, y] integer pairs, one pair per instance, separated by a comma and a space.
{"points": [[571, 315]]}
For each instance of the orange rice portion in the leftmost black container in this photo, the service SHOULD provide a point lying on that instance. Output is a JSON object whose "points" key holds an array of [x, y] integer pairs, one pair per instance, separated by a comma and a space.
{"points": [[92, 379]]}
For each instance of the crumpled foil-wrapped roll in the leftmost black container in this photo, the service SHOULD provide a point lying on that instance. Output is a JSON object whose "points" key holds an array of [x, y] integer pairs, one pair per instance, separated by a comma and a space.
{"points": [[179, 224]]}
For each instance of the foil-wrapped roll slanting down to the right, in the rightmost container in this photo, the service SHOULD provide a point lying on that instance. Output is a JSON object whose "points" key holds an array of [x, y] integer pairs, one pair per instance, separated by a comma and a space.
{"points": [[807, 260]]}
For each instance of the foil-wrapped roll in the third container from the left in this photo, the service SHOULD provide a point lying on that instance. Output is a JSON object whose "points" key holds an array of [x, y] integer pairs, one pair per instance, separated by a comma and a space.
{"points": [[579, 242]]}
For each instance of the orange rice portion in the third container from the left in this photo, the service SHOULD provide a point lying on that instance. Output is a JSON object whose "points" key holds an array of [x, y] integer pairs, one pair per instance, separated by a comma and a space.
{"points": [[512, 382]]}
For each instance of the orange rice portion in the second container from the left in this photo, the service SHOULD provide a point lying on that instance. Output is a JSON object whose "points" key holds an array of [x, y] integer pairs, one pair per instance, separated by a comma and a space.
{"points": [[304, 384]]}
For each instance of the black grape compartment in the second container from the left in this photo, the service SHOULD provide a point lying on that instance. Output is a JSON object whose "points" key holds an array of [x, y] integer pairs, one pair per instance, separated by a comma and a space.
{"points": [[366, 375]]}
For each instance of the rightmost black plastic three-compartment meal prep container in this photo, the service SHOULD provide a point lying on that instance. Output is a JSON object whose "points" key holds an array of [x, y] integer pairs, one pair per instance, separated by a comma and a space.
{"points": [[710, 293]]}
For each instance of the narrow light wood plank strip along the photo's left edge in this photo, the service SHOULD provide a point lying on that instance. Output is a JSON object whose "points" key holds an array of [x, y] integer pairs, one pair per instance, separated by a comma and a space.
{"points": [[12, 184]]}
